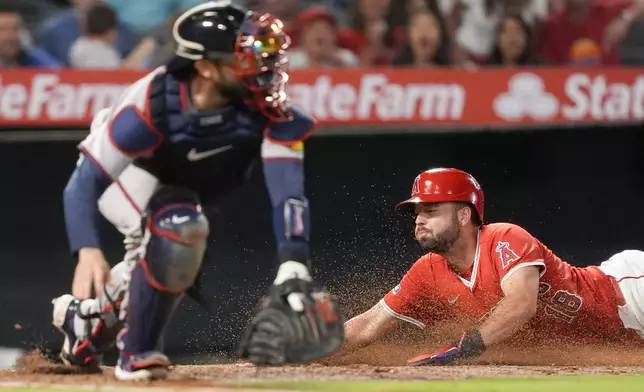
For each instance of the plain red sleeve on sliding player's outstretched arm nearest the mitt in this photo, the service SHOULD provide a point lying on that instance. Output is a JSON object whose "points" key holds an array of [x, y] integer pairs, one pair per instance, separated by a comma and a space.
{"points": [[409, 300]]}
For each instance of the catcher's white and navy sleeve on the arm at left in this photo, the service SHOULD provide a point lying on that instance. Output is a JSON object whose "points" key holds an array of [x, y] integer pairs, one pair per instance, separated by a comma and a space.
{"points": [[118, 135]]}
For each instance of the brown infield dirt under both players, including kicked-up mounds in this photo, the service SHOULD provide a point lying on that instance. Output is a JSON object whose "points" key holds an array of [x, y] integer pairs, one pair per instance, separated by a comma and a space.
{"points": [[381, 362]]}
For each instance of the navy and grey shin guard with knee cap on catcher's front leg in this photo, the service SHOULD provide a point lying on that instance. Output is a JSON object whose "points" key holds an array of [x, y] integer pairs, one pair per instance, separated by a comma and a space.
{"points": [[175, 243]]}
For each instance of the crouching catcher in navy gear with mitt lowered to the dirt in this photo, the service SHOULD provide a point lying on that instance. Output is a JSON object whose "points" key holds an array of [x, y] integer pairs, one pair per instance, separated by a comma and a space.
{"points": [[186, 133]]}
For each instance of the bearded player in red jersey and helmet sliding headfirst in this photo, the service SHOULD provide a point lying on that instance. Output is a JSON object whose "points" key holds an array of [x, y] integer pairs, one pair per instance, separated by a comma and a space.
{"points": [[499, 274]]}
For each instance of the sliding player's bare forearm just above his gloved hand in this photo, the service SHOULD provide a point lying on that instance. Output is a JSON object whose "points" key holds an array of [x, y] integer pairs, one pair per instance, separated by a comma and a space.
{"points": [[507, 318]]}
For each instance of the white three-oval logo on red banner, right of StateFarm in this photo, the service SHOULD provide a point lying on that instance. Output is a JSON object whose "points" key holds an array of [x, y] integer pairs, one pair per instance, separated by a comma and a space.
{"points": [[526, 97]]}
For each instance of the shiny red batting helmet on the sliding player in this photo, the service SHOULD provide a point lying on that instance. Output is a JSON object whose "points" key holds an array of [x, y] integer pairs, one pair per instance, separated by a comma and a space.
{"points": [[445, 184]]}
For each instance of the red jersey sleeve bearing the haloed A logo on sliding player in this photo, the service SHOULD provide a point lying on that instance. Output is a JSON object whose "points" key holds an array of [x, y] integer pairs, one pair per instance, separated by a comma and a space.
{"points": [[514, 248]]}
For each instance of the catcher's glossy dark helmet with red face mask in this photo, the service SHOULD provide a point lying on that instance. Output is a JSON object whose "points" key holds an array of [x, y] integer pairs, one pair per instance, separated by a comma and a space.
{"points": [[254, 42]]}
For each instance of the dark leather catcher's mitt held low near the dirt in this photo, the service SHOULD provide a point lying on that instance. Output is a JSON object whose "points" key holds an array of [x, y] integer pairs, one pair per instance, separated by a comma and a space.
{"points": [[280, 334]]}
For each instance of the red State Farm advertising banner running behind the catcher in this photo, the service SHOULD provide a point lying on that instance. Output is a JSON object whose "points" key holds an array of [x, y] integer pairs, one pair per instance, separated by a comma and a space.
{"points": [[373, 97]]}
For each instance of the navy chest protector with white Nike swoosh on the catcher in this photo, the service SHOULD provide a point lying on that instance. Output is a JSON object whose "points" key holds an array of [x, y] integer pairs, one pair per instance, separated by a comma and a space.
{"points": [[210, 153]]}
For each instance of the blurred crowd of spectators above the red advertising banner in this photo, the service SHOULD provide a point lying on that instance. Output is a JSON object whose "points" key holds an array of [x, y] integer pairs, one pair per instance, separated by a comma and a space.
{"points": [[137, 34]]}
